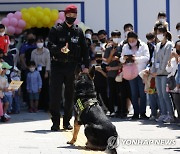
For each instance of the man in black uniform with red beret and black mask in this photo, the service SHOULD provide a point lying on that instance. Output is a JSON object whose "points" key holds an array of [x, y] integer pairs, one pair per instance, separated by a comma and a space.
{"points": [[68, 48]]}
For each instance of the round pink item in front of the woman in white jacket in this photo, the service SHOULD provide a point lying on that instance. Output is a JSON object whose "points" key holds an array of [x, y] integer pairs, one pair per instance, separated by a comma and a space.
{"points": [[130, 71]]}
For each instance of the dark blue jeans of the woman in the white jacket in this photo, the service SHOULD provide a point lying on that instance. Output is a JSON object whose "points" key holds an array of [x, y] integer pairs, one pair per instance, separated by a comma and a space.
{"points": [[137, 90]]}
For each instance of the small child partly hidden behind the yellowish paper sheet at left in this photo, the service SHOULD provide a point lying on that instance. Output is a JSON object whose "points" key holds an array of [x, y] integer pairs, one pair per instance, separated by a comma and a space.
{"points": [[15, 75]]}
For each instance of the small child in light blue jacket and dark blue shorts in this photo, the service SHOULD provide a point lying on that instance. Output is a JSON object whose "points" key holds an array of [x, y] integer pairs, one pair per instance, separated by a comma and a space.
{"points": [[34, 85]]}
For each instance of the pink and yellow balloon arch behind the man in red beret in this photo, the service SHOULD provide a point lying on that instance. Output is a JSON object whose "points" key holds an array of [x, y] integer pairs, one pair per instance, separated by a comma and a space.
{"points": [[34, 17]]}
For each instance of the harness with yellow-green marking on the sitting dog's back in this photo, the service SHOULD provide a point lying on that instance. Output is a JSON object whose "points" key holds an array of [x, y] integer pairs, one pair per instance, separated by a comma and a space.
{"points": [[79, 106]]}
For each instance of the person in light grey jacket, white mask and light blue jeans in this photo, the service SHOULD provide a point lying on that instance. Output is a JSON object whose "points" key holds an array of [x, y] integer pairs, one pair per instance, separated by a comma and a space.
{"points": [[161, 57]]}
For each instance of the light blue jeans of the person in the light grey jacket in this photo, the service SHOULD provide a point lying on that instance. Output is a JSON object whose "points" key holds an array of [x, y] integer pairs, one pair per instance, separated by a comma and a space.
{"points": [[164, 97]]}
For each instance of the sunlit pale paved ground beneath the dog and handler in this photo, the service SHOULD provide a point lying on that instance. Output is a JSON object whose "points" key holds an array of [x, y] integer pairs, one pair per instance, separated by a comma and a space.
{"points": [[29, 133]]}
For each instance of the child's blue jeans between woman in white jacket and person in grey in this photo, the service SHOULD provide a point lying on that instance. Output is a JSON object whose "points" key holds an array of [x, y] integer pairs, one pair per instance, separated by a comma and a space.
{"points": [[154, 104]]}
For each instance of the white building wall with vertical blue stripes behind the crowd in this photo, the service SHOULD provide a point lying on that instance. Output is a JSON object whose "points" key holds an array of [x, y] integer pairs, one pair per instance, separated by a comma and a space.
{"points": [[110, 14]]}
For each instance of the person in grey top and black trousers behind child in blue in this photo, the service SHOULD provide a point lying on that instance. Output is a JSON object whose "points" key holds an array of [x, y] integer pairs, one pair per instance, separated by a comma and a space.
{"points": [[41, 56]]}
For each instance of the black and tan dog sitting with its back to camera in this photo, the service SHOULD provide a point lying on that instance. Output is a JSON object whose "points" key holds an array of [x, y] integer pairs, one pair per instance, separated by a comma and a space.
{"points": [[99, 130]]}
